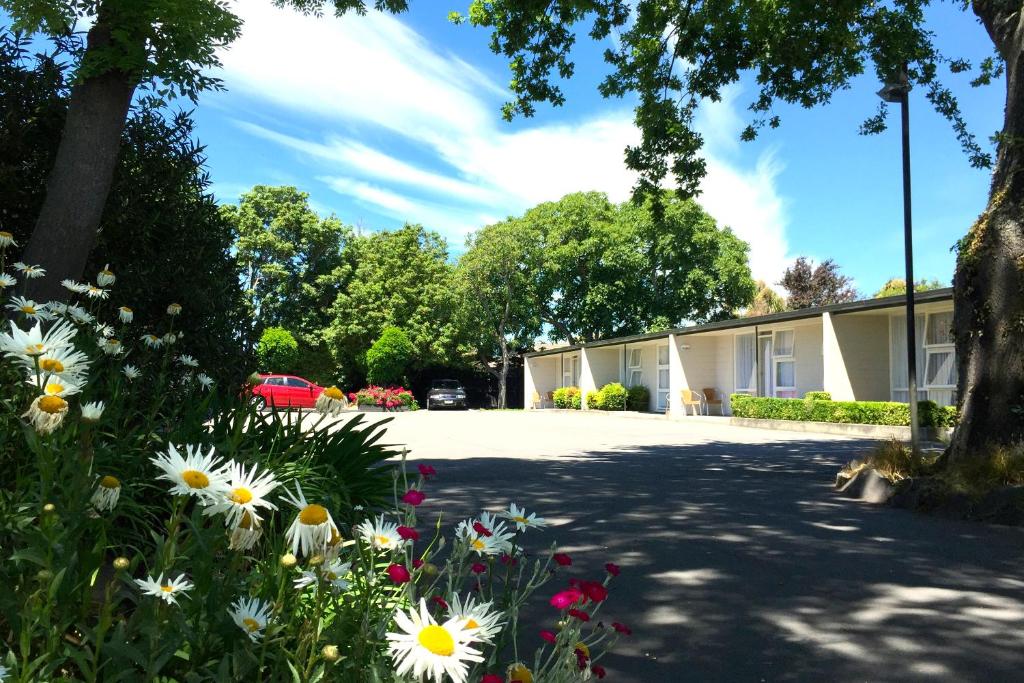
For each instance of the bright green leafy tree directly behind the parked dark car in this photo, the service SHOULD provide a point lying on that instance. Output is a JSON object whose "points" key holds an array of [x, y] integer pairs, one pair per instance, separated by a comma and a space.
{"points": [[402, 279]]}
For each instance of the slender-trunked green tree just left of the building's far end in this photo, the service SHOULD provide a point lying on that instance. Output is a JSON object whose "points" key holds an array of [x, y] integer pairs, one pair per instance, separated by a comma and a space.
{"points": [[496, 278]]}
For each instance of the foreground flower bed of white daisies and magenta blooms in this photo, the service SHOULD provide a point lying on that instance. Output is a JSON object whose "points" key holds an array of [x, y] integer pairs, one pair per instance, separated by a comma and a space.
{"points": [[155, 530]]}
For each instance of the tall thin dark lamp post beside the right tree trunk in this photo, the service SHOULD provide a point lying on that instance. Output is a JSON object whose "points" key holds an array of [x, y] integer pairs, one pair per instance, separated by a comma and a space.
{"points": [[900, 93]]}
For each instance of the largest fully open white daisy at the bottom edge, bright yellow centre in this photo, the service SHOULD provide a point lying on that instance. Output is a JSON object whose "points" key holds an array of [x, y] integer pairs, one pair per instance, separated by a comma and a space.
{"points": [[428, 650]]}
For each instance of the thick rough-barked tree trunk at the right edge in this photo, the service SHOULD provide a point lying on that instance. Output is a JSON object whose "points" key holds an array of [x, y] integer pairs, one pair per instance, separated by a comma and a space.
{"points": [[989, 318]]}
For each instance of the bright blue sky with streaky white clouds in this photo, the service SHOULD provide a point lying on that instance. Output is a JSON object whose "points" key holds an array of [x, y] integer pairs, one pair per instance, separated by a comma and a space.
{"points": [[386, 120]]}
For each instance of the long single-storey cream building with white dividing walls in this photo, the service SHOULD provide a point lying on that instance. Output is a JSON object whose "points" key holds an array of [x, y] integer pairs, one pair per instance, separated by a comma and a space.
{"points": [[856, 352]]}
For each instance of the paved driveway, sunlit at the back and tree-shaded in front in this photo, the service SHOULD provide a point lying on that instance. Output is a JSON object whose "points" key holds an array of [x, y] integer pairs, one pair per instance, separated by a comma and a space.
{"points": [[739, 562]]}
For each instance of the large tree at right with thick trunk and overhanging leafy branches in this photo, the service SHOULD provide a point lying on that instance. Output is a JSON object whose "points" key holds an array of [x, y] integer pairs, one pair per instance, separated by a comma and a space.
{"points": [[675, 56]]}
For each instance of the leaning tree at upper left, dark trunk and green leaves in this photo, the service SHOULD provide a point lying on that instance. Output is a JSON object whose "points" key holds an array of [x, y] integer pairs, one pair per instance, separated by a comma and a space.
{"points": [[166, 48]]}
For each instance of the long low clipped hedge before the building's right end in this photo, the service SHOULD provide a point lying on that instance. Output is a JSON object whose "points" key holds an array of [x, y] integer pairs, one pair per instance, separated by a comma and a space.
{"points": [[849, 412]]}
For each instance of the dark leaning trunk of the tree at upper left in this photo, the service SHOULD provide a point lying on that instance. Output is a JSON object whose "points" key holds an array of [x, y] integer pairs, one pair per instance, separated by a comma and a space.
{"points": [[80, 182]]}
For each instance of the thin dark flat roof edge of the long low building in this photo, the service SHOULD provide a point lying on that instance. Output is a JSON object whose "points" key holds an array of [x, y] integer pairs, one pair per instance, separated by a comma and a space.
{"points": [[945, 294]]}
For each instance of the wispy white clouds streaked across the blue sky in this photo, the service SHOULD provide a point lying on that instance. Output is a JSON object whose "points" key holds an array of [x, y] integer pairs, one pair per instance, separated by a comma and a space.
{"points": [[366, 83]]}
